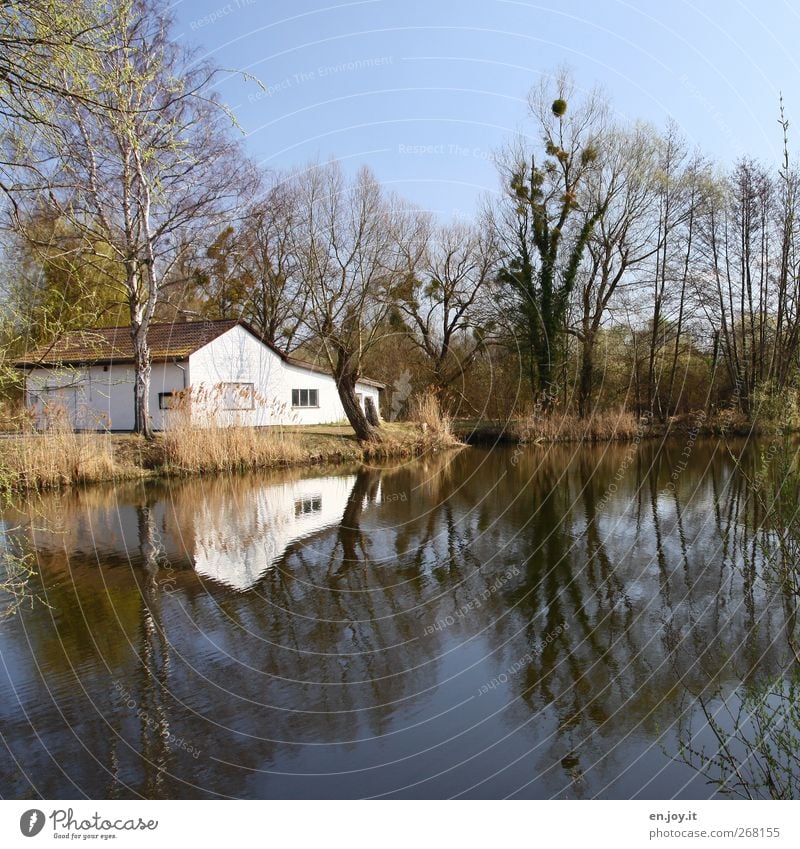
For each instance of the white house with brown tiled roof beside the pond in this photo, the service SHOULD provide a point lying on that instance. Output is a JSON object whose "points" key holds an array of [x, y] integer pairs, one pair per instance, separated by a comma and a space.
{"points": [[218, 372]]}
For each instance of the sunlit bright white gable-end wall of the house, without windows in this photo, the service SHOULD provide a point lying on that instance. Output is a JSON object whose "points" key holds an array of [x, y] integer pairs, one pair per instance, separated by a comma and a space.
{"points": [[238, 357]]}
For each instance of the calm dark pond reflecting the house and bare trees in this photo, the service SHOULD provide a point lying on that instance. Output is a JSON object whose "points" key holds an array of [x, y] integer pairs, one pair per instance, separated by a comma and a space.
{"points": [[533, 622]]}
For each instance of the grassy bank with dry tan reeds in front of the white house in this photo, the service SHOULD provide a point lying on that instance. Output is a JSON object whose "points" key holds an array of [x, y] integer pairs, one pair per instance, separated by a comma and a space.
{"points": [[62, 458]]}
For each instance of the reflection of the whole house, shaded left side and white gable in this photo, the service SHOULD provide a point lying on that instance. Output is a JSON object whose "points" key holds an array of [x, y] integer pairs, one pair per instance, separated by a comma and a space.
{"points": [[231, 531]]}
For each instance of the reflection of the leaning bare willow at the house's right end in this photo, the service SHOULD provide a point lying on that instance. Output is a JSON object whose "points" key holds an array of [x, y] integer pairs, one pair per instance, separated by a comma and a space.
{"points": [[340, 590]]}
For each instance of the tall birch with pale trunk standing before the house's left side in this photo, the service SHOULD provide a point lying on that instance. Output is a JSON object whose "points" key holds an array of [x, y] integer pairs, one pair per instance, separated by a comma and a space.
{"points": [[144, 168]]}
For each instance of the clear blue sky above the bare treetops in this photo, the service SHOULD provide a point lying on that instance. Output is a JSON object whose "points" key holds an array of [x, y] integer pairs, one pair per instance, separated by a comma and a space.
{"points": [[425, 92]]}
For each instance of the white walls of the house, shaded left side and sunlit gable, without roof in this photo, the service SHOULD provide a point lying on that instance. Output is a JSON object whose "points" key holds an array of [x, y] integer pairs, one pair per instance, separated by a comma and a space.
{"points": [[98, 398]]}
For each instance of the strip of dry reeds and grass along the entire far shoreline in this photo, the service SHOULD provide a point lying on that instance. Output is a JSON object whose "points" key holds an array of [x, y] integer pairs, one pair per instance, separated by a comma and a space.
{"points": [[60, 460]]}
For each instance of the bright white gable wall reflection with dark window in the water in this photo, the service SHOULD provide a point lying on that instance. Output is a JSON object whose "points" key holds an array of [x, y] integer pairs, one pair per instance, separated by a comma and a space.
{"points": [[235, 544]]}
